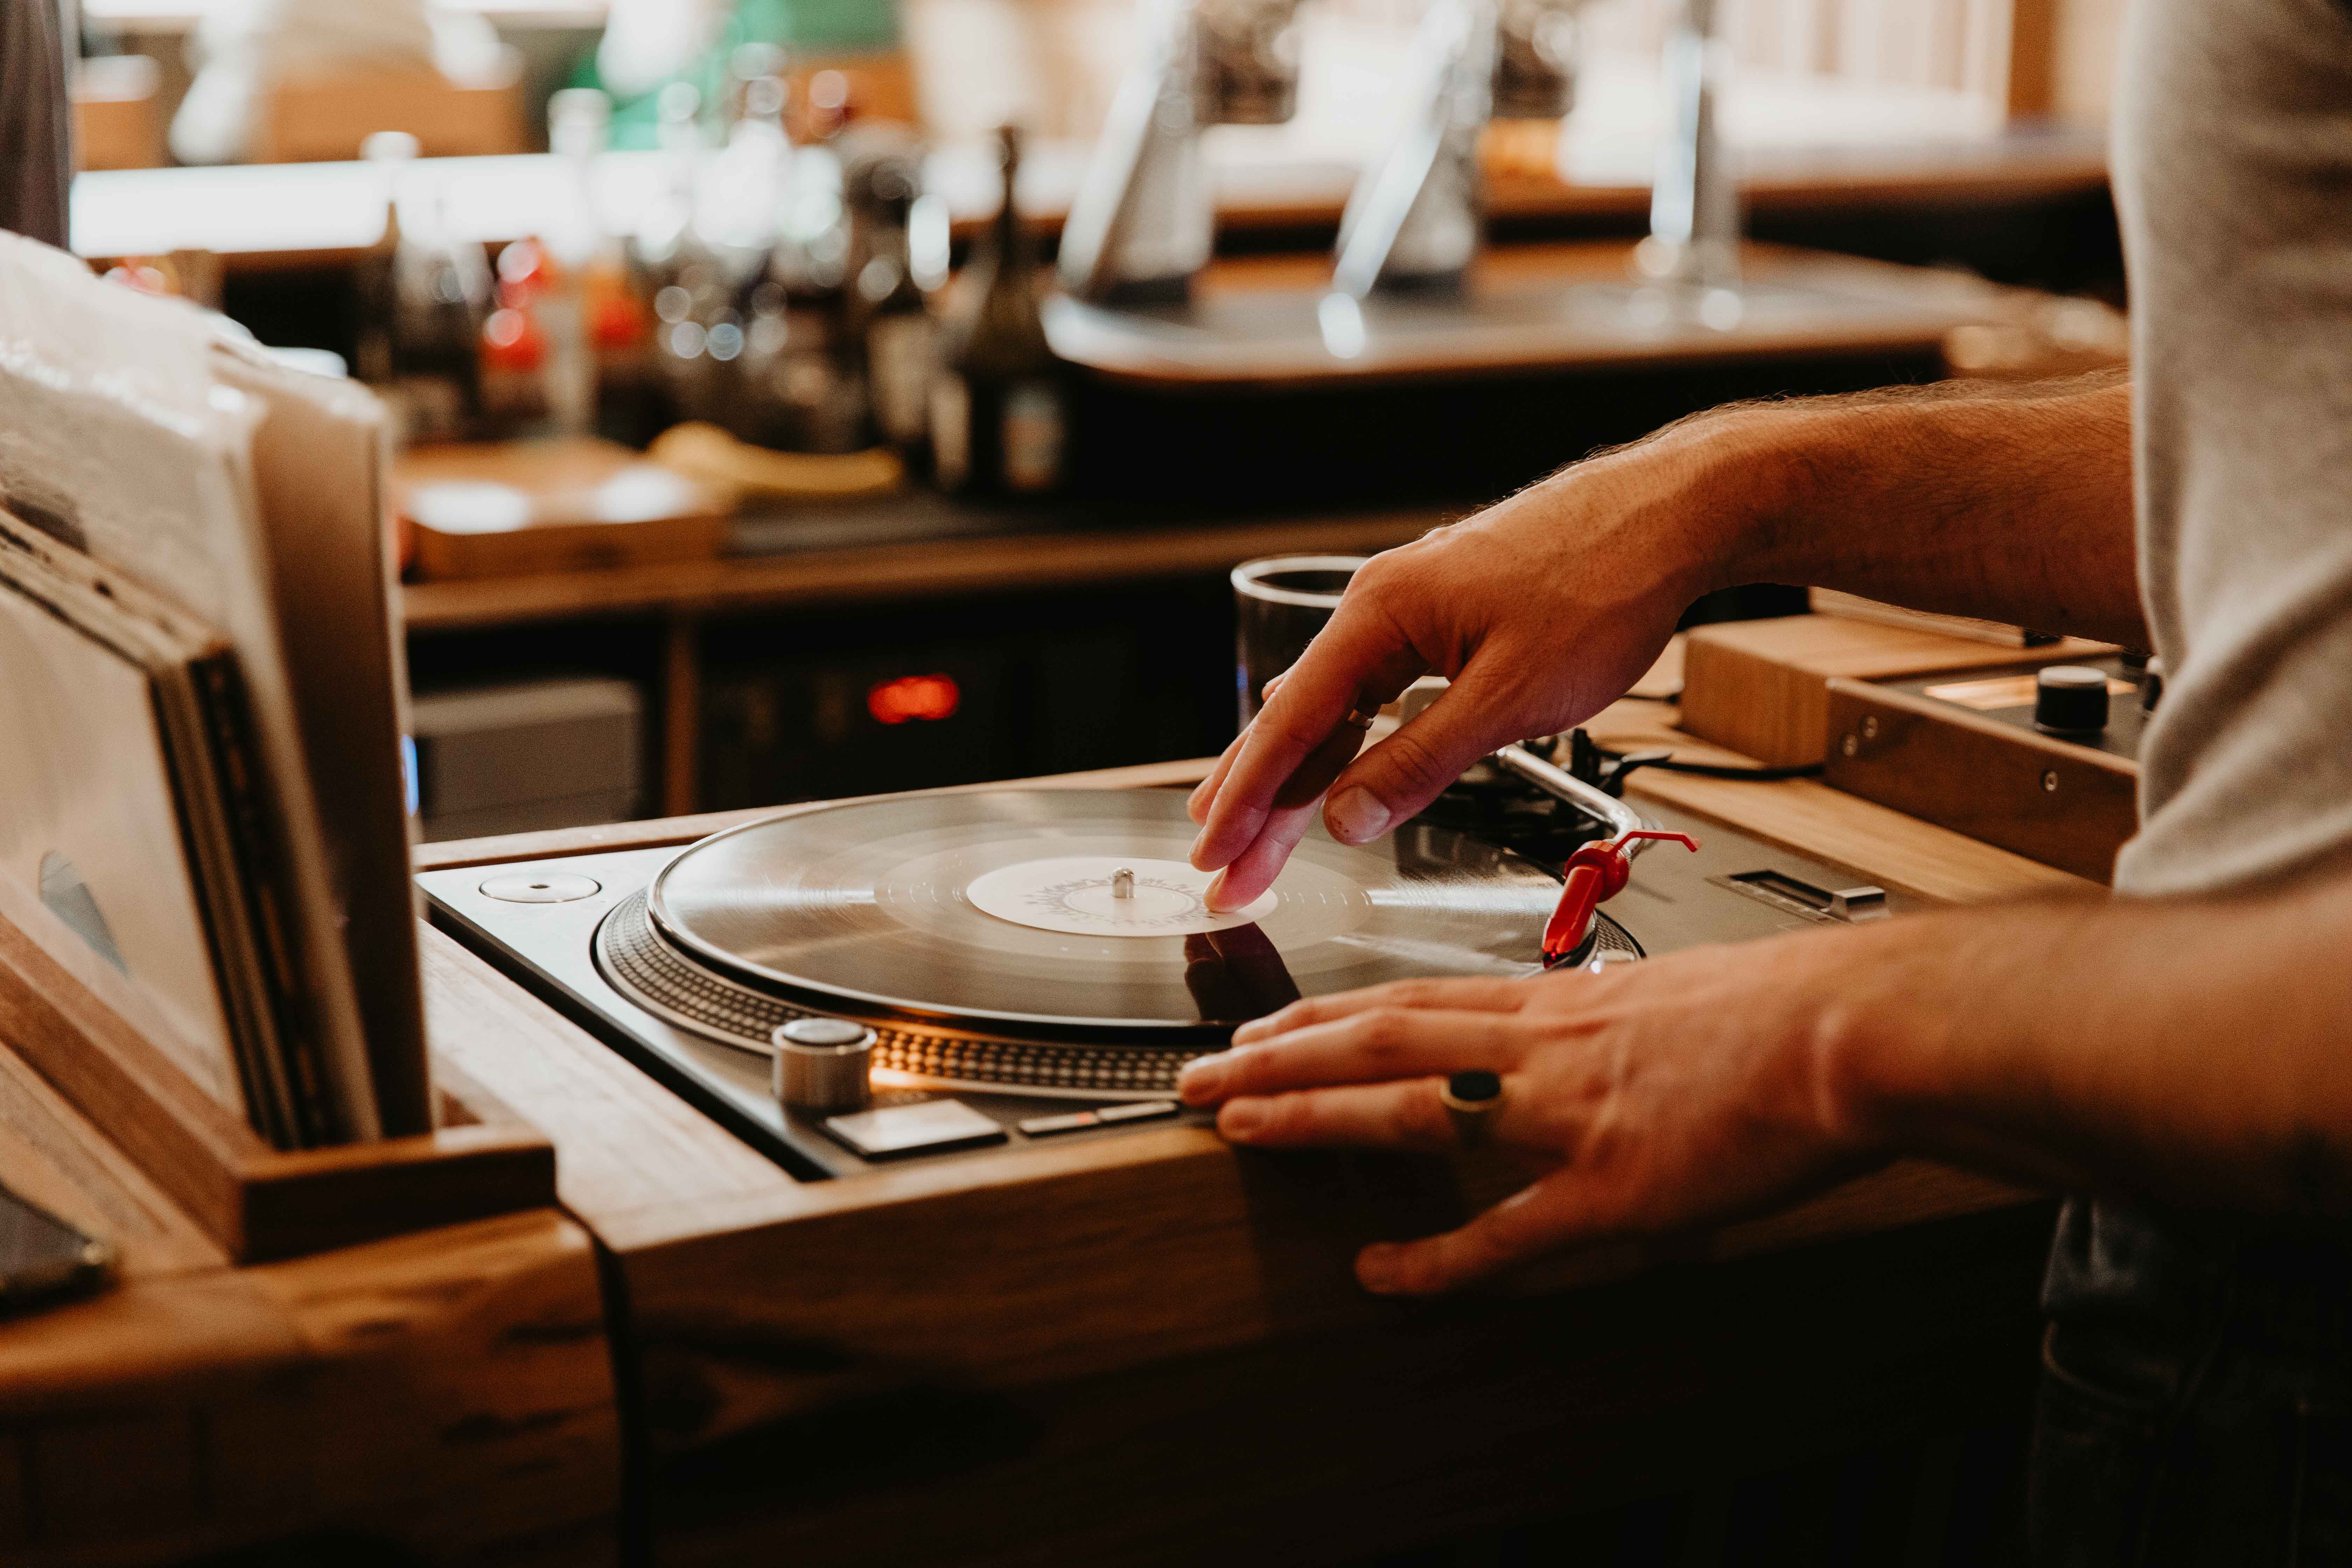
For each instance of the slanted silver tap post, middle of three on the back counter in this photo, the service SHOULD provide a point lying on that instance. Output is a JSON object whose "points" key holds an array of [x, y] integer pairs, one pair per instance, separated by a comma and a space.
{"points": [[1417, 217]]}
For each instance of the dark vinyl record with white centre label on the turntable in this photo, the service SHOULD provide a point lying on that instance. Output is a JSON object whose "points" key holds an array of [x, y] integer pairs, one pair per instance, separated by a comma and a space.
{"points": [[1008, 913]]}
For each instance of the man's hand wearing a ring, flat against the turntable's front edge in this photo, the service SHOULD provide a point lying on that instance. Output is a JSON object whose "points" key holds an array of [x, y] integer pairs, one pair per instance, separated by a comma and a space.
{"points": [[1666, 1097]]}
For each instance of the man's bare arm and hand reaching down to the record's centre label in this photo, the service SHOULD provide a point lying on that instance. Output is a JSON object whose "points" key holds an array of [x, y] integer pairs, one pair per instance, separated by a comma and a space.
{"points": [[2012, 504]]}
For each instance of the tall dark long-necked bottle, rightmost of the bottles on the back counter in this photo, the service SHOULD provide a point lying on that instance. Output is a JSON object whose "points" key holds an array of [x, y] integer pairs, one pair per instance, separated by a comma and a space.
{"points": [[998, 422]]}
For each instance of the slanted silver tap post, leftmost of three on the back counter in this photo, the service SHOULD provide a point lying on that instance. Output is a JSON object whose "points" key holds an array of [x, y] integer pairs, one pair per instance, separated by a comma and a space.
{"points": [[1147, 213]]}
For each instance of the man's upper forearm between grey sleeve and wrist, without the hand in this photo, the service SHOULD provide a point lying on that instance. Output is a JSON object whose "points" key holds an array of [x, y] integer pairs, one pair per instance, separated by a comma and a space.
{"points": [[2000, 502]]}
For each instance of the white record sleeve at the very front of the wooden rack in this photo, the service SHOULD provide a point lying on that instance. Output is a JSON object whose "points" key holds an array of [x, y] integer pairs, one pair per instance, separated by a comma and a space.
{"points": [[91, 852]]}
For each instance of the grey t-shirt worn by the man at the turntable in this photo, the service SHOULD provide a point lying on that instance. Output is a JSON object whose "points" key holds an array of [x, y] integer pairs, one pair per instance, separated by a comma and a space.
{"points": [[2233, 170]]}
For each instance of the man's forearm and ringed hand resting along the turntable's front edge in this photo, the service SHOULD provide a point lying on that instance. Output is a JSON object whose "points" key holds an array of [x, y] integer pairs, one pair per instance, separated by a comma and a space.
{"points": [[2184, 1052]]}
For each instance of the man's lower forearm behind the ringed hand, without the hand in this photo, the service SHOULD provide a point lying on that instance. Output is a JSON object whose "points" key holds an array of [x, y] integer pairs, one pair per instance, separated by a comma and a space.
{"points": [[2198, 1054]]}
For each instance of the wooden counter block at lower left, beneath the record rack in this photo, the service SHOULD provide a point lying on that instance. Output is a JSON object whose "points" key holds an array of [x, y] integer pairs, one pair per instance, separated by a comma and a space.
{"points": [[446, 1395]]}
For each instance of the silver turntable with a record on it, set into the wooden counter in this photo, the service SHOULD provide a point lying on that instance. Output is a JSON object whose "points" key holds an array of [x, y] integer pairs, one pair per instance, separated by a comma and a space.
{"points": [[1045, 956]]}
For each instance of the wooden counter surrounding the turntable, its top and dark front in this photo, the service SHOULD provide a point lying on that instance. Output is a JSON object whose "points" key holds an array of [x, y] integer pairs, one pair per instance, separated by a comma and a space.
{"points": [[1151, 1348]]}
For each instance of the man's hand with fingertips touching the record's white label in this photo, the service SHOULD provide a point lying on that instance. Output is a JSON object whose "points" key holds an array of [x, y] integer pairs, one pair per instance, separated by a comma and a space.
{"points": [[1542, 612]]}
